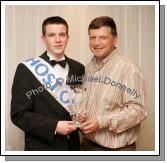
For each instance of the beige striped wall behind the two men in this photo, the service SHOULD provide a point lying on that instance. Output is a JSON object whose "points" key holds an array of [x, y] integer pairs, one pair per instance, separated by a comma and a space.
{"points": [[136, 40]]}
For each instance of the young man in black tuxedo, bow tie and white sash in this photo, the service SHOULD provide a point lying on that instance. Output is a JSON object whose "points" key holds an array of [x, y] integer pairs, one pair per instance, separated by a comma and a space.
{"points": [[39, 100]]}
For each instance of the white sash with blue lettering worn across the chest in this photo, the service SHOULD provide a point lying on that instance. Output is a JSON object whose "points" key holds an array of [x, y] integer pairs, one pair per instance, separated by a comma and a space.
{"points": [[51, 81]]}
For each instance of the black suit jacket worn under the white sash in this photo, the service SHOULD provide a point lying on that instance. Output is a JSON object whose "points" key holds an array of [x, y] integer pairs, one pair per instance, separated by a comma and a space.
{"points": [[39, 115]]}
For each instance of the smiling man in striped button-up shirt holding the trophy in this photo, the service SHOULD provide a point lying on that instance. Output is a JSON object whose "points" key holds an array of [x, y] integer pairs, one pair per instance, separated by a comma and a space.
{"points": [[115, 93]]}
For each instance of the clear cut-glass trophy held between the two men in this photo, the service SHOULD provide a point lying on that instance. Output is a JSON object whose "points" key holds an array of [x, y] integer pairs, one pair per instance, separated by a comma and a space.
{"points": [[76, 103]]}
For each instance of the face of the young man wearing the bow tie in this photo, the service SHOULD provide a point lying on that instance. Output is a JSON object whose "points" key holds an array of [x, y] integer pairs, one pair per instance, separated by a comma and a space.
{"points": [[56, 39]]}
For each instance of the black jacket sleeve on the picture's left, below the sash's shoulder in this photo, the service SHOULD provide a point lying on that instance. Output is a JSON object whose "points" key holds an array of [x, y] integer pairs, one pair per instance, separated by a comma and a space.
{"points": [[22, 108]]}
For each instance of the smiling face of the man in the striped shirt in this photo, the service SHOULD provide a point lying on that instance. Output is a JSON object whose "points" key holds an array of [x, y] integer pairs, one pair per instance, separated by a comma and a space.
{"points": [[101, 42]]}
